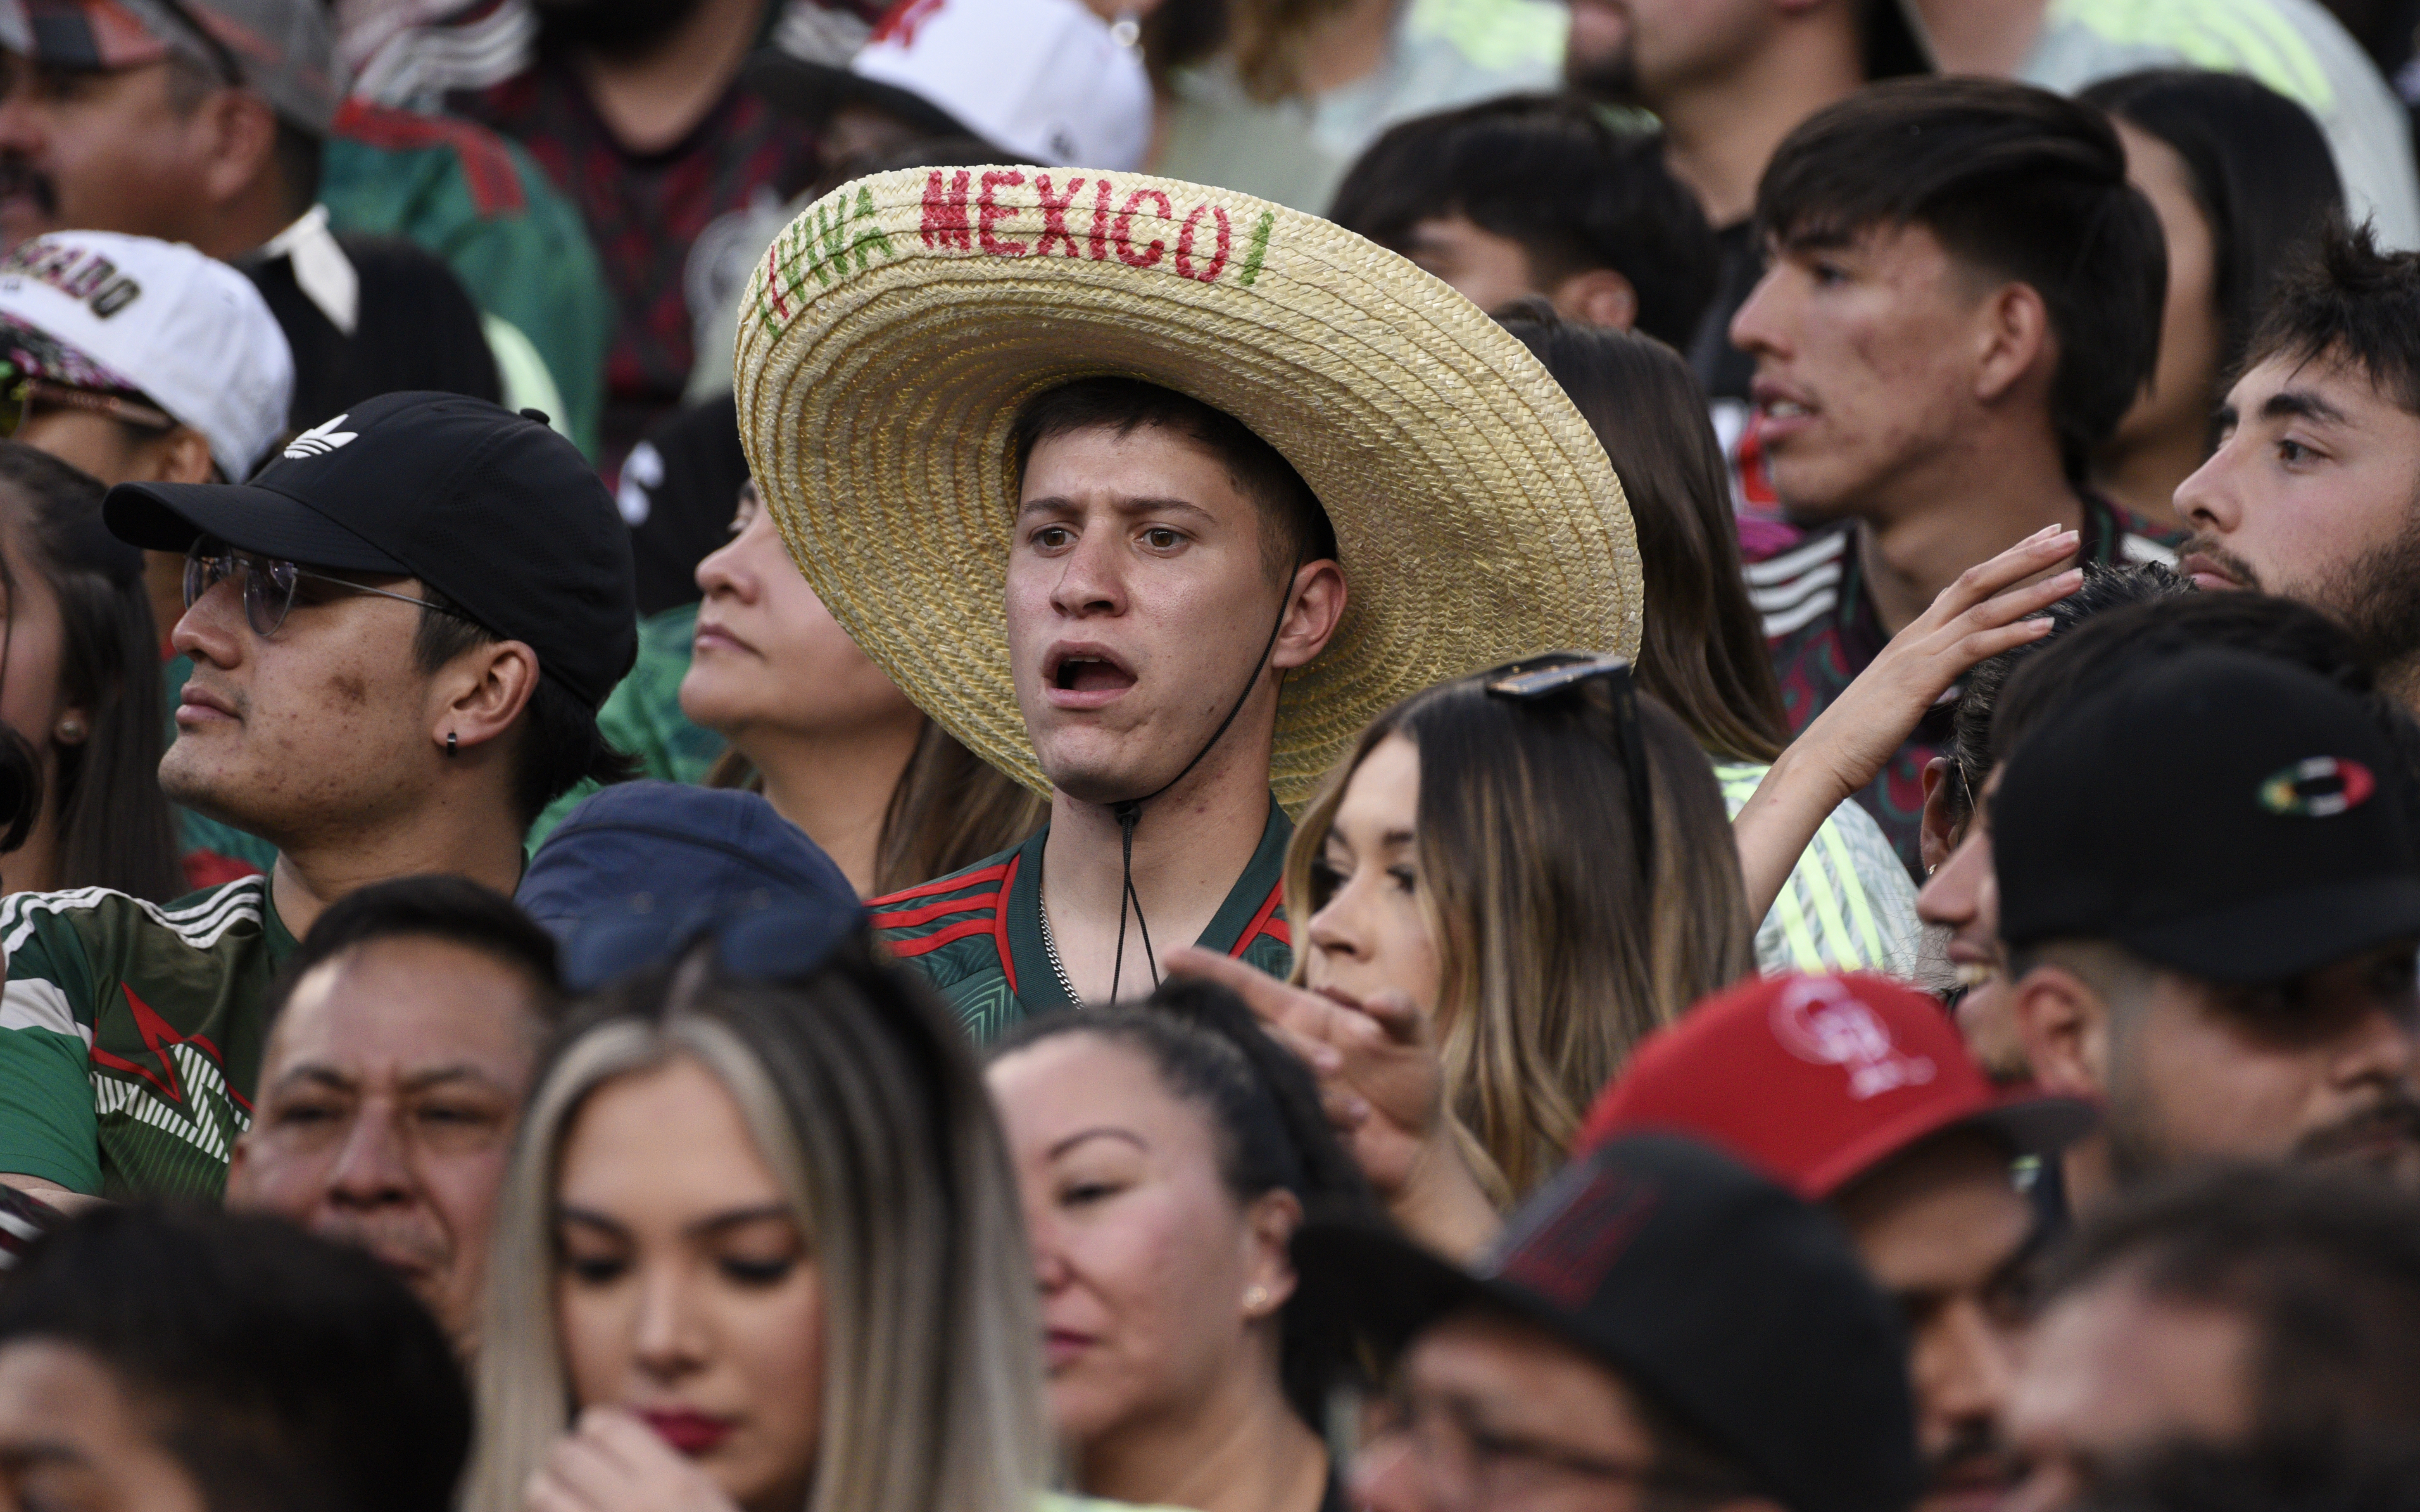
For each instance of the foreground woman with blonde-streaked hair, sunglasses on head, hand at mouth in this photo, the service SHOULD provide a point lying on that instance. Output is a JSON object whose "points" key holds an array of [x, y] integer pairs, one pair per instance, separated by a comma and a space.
{"points": [[761, 1250]]}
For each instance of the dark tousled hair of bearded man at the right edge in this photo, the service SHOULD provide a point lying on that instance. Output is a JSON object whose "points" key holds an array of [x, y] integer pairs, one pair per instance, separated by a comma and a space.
{"points": [[2346, 299]]}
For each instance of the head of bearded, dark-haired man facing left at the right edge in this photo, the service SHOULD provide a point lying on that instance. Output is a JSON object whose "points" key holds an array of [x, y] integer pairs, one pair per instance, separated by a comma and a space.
{"points": [[2312, 487]]}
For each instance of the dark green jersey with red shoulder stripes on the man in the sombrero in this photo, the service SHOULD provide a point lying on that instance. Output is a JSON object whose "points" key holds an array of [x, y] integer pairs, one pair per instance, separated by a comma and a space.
{"points": [[979, 933]]}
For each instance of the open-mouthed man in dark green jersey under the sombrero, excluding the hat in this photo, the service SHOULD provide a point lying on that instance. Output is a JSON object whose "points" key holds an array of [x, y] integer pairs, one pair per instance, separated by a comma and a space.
{"points": [[1151, 531]]}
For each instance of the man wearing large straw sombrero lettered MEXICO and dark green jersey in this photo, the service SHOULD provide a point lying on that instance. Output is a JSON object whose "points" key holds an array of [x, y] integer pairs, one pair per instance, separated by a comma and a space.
{"points": [[1153, 495]]}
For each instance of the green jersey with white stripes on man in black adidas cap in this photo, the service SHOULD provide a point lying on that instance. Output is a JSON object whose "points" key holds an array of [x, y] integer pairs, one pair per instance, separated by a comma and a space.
{"points": [[132, 1037]]}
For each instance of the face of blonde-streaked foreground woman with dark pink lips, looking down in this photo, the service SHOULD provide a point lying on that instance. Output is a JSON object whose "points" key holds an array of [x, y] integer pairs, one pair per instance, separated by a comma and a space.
{"points": [[684, 1286]]}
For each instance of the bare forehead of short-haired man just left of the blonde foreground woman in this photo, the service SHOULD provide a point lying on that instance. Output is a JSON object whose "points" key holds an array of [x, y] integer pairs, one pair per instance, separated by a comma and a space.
{"points": [[398, 1008]]}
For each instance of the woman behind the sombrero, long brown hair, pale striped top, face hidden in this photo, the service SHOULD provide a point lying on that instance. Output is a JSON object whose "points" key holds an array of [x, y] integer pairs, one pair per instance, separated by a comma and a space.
{"points": [[1848, 901]]}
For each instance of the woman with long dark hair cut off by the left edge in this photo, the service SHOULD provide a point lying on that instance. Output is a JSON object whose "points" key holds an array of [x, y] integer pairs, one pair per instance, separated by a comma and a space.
{"points": [[81, 797]]}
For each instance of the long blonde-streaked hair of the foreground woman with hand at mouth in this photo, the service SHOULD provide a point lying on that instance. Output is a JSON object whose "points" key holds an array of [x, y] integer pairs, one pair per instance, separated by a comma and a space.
{"points": [[870, 1112]]}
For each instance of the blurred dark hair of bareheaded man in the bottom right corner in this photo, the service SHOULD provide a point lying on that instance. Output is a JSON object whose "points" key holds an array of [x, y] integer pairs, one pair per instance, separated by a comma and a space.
{"points": [[2322, 1269]]}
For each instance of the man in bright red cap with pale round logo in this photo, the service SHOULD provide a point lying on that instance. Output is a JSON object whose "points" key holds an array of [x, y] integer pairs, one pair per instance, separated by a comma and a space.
{"points": [[1857, 1095]]}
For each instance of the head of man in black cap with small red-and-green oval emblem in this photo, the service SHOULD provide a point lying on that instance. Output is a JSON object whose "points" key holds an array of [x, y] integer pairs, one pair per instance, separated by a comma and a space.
{"points": [[2211, 904]]}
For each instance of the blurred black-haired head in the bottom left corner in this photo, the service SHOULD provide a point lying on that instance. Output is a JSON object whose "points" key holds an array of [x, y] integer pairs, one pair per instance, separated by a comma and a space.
{"points": [[173, 1361]]}
